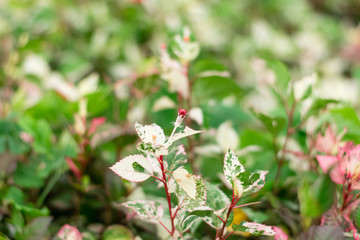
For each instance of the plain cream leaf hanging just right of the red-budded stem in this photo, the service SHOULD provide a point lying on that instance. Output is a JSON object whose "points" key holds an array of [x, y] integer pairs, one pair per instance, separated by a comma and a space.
{"points": [[186, 181]]}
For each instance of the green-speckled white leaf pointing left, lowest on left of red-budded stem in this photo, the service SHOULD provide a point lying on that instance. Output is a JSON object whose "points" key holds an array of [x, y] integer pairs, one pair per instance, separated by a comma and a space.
{"points": [[146, 209]]}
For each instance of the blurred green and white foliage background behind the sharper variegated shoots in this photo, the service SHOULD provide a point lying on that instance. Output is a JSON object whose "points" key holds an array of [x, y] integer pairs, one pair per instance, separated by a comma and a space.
{"points": [[54, 54]]}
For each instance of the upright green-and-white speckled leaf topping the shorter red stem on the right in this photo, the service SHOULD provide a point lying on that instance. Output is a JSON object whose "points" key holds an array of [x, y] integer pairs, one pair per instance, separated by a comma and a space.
{"points": [[232, 166]]}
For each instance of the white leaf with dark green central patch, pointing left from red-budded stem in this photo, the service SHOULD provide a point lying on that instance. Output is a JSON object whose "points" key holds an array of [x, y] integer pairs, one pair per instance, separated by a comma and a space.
{"points": [[129, 169]]}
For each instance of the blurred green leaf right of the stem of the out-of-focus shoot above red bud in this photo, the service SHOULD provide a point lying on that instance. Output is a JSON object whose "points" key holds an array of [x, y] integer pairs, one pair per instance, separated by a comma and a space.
{"points": [[215, 87]]}
